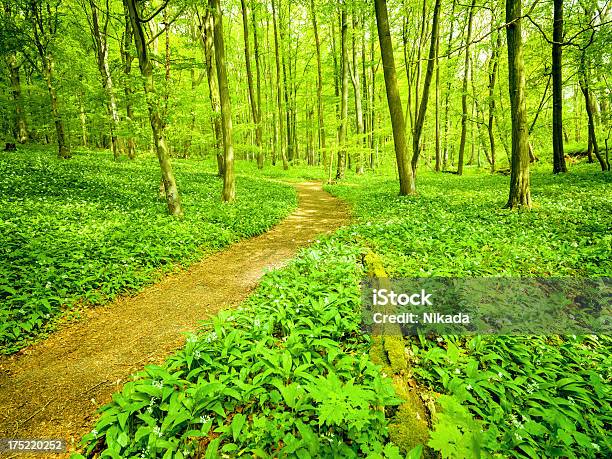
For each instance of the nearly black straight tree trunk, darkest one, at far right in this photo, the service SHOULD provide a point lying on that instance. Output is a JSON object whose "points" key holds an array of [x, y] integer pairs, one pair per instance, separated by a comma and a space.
{"points": [[557, 127]]}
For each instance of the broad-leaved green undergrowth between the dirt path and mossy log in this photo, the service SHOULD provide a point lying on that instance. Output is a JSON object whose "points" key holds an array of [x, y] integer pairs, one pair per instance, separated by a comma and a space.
{"points": [[285, 375]]}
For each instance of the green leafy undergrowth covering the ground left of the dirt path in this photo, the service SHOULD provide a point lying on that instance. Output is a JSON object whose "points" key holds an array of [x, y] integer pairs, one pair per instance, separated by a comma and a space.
{"points": [[85, 230]]}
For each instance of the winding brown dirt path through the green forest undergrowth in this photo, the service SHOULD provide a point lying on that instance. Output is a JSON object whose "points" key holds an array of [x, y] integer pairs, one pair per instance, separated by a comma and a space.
{"points": [[52, 389]]}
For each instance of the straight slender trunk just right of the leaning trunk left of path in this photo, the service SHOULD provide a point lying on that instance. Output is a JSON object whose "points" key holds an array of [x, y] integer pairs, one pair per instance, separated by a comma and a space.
{"points": [[229, 180]]}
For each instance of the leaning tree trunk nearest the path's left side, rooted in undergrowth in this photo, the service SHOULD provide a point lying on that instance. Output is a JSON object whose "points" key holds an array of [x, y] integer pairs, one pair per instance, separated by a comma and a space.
{"points": [[173, 199]]}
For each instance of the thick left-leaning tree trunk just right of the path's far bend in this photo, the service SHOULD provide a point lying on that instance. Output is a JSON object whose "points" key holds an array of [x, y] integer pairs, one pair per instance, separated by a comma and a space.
{"points": [[404, 167]]}
